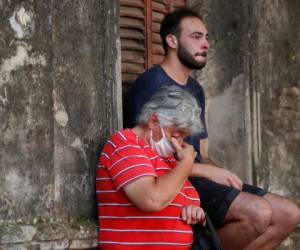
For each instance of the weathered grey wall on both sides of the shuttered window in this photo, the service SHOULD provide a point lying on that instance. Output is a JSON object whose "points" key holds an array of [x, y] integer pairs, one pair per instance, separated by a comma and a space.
{"points": [[60, 98]]}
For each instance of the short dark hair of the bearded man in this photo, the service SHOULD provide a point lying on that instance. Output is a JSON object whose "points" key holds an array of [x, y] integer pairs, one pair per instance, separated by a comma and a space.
{"points": [[171, 24]]}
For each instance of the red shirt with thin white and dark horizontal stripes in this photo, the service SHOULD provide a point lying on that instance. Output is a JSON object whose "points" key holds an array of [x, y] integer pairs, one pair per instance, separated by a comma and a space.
{"points": [[126, 158]]}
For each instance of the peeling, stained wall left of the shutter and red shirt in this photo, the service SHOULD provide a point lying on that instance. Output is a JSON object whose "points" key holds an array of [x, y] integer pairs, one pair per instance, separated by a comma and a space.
{"points": [[59, 99]]}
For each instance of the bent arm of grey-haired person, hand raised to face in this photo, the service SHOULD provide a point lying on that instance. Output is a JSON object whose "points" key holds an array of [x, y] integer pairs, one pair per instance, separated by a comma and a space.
{"points": [[151, 194]]}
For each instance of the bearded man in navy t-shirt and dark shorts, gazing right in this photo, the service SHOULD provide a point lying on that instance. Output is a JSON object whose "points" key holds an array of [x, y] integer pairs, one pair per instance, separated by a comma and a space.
{"points": [[246, 216]]}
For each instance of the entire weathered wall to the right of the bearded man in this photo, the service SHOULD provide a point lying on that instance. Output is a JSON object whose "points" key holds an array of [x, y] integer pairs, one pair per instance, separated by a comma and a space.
{"points": [[253, 92]]}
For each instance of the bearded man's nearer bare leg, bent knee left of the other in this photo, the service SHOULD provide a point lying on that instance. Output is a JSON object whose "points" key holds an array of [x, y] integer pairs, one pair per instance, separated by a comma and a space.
{"points": [[248, 217]]}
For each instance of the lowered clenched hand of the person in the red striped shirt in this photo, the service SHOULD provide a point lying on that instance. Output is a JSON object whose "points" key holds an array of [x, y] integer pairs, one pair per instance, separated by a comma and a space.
{"points": [[192, 214]]}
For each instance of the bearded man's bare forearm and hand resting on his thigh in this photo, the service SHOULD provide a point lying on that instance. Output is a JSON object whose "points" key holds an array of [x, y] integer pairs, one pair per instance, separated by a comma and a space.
{"points": [[209, 170]]}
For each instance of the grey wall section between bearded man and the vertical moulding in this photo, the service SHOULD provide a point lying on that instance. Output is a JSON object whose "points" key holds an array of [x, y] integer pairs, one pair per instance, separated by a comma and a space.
{"points": [[226, 85]]}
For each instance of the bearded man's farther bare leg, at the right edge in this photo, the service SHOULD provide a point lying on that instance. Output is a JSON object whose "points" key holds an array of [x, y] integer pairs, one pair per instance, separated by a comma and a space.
{"points": [[285, 217]]}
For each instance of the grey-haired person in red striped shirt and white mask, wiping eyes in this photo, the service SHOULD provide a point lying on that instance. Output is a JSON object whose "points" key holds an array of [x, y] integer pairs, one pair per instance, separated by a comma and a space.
{"points": [[144, 198]]}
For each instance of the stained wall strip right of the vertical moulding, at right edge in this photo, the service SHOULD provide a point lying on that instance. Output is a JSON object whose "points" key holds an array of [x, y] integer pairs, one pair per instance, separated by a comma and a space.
{"points": [[275, 72]]}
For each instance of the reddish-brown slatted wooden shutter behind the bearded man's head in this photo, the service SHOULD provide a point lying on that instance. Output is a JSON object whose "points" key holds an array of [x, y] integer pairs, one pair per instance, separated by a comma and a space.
{"points": [[141, 45]]}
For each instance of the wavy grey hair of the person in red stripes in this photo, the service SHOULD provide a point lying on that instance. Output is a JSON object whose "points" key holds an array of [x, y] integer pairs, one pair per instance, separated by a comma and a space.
{"points": [[173, 106]]}
